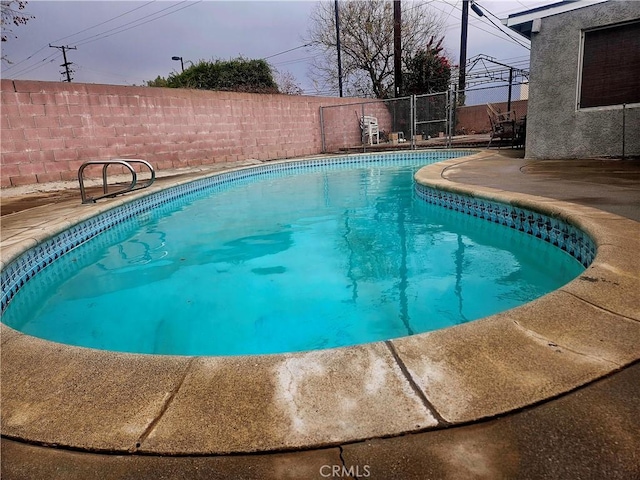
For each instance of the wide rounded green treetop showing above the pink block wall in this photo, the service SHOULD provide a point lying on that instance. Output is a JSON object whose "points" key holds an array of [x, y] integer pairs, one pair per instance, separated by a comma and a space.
{"points": [[237, 75]]}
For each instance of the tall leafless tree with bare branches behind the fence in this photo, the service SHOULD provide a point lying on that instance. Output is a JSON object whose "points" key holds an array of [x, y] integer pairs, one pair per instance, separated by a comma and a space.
{"points": [[366, 37]]}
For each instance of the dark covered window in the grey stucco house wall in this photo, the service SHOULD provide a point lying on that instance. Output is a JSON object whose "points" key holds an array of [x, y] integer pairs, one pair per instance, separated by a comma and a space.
{"points": [[611, 66]]}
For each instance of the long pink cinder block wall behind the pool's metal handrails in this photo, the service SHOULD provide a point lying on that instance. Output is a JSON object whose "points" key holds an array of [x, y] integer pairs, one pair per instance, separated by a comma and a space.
{"points": [[49, 129]]}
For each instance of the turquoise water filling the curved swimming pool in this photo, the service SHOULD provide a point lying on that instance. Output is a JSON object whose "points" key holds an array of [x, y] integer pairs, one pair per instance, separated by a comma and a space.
{"points": [[285, 263]]}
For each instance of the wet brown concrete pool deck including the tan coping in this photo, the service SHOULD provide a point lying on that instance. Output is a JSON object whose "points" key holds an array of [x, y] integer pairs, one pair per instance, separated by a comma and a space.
{"points": [[516, 395]]}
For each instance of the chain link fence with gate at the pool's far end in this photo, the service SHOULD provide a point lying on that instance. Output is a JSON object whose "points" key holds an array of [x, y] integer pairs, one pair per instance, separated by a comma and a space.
{"points": [[446, 119]]}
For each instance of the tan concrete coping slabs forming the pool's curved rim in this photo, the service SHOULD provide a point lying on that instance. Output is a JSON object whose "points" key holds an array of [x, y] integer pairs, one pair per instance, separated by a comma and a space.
{"points": [[85, 399]]}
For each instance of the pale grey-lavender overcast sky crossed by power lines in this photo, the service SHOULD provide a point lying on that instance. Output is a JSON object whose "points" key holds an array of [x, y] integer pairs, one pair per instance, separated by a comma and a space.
{"points": [[130, 42]]}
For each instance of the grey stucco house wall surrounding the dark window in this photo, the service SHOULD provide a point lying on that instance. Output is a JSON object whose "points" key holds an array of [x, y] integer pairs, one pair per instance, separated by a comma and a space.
{"points": [[556, 128]]}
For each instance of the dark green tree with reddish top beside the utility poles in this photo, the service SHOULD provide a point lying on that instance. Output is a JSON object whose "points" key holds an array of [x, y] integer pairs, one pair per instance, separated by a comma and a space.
{"points": [[427, 71]]}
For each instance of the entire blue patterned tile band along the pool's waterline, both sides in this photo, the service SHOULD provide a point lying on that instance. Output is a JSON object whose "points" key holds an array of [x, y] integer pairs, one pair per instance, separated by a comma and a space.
{"points": [[567, 237]]}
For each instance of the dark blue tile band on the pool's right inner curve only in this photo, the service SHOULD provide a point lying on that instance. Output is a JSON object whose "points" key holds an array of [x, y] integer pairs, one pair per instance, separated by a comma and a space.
{"points": [[552, 230]]}
